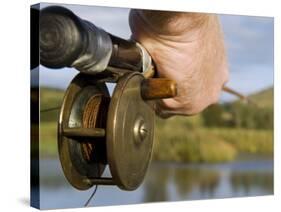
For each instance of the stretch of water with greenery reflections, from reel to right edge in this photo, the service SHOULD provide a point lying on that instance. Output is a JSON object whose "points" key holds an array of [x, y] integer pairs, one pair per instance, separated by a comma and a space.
{"points": [[170, 182]]}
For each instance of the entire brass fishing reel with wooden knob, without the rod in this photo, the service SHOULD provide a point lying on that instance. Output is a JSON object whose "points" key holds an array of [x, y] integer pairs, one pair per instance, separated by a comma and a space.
{"points": [[95, 130]]}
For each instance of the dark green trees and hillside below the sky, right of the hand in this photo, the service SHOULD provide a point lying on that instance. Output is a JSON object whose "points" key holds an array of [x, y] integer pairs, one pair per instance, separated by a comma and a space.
{"points": [[240, 115]]}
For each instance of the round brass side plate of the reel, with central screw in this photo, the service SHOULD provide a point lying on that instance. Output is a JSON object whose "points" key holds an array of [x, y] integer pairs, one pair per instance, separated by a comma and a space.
{"points": [[129, 132]]}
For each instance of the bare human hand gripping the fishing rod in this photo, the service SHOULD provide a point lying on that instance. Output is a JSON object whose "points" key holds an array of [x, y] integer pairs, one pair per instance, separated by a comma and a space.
{"points": [[187, 48]]}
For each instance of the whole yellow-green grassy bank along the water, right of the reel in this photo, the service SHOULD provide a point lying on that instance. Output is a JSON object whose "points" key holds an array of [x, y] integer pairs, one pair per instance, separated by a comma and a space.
{"points": [[181, 140]]}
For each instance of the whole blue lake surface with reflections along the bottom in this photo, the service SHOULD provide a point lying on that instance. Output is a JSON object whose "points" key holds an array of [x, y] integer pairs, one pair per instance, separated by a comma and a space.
{"points": [[163, 182]]}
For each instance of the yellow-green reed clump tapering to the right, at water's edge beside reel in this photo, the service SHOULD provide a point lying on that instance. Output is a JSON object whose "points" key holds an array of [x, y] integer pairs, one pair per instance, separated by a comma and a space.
{"points": [[191, 146]]}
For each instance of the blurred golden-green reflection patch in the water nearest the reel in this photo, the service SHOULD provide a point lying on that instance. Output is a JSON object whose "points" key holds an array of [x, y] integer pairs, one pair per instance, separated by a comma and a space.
{"points": [[184, 181]]}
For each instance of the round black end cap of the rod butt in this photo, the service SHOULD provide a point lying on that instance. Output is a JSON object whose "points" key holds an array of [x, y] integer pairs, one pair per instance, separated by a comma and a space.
{"points": [[62, 37]]}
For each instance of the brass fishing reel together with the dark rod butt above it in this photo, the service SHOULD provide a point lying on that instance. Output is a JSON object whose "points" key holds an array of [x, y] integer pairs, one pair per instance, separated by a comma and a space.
{"points": [[94, 128]]}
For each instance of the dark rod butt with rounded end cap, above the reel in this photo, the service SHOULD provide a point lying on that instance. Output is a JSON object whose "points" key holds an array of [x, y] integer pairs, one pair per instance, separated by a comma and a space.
{"points": [[68, 41]]}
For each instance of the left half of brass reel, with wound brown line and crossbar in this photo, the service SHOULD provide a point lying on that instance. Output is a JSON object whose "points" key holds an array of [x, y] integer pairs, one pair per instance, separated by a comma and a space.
{"points": [[81, 131]]}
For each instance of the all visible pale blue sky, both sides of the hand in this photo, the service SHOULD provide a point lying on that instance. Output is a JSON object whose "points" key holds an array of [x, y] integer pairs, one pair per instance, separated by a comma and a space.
{"points": [[249, 43]]}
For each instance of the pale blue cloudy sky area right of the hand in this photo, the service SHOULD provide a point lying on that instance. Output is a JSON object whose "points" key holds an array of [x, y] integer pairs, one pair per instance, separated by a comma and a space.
{"points": [[250, 48]]}
